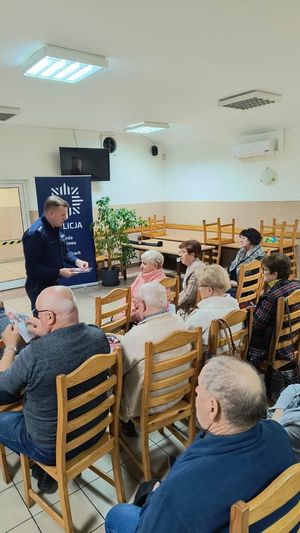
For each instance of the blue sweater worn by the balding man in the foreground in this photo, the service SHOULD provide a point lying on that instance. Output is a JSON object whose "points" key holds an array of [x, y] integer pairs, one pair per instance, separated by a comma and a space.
{"points": [[211, 475]]}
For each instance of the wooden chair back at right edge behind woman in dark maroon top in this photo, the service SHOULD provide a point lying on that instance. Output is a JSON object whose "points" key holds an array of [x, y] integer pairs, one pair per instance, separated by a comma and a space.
{"points": [[287, 328]]}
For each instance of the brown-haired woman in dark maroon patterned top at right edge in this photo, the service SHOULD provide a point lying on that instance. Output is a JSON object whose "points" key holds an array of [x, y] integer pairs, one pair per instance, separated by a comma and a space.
{"points": [[276, 270]]}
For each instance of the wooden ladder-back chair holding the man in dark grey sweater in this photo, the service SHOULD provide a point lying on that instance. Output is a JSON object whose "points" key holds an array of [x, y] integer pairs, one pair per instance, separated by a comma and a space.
{"points": [[65, 470]]}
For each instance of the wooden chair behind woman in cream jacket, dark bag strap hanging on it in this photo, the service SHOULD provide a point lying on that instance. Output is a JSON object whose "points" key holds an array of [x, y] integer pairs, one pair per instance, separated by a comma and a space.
{"points": [[241, 338]]}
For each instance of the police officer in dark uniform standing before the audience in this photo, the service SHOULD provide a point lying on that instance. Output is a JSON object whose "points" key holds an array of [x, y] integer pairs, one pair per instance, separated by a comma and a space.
{"points": [[45, 249]]}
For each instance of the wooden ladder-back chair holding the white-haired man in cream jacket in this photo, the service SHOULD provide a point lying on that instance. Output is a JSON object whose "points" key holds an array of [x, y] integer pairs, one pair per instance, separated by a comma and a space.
{"points": [[154, 392]]}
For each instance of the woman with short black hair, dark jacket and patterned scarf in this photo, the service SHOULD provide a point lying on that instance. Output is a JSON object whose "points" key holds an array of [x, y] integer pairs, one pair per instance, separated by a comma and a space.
{"points": [[251, 250]]}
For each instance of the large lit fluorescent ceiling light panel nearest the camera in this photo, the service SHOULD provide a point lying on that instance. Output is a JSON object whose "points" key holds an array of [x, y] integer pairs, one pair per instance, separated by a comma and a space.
{"points": [[62, 64]]}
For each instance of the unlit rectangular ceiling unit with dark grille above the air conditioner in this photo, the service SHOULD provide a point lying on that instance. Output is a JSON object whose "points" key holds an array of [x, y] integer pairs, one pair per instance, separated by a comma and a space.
{"points": [[249, 99]]}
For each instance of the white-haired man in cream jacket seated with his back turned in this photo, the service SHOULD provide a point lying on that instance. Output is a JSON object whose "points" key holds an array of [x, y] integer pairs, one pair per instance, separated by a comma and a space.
{"points": [[155, 324]]}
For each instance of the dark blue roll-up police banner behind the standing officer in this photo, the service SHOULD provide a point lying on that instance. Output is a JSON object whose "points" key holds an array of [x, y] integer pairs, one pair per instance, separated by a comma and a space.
{"points": [[76, 190]]}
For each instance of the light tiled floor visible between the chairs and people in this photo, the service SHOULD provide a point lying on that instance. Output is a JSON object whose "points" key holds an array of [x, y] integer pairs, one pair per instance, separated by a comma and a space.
{"points": [[90, 496]]}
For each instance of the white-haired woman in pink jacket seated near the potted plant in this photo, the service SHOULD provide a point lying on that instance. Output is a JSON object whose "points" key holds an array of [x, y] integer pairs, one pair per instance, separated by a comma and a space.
{"points": [[151, 270]]}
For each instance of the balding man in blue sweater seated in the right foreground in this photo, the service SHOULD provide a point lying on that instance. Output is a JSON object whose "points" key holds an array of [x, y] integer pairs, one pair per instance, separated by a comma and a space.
{"points": [[234, 458]]}
